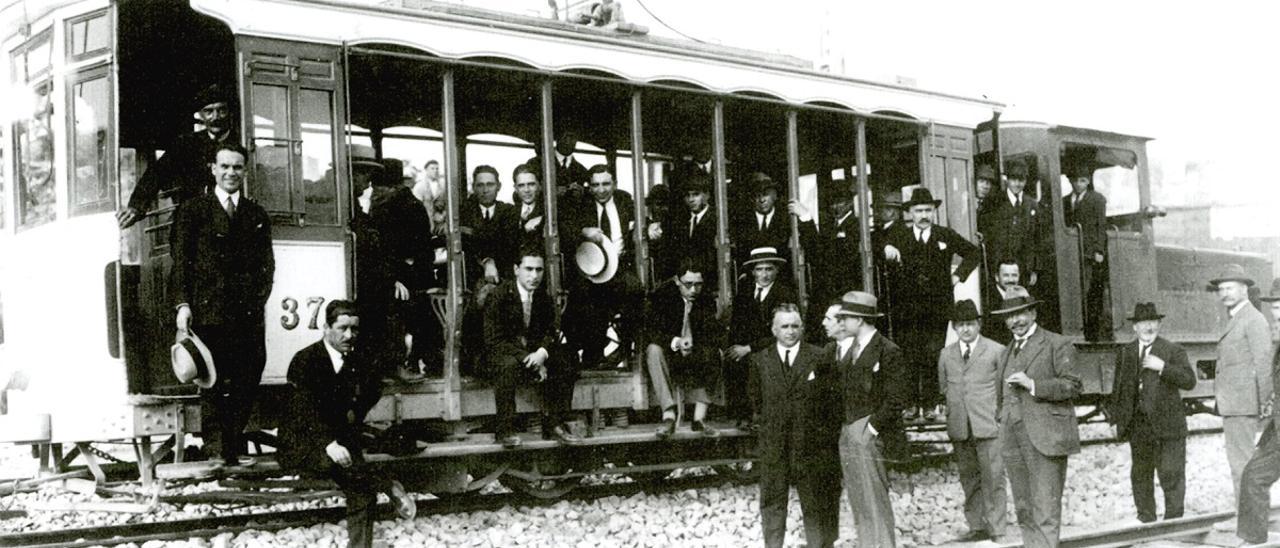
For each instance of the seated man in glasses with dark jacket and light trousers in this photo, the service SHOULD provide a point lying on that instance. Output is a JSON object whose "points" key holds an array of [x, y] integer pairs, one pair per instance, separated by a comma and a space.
{"points": [[684, 351]]}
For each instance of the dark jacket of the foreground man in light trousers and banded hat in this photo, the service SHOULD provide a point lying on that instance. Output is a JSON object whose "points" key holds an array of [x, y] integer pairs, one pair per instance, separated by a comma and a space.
{"points": [[875, 385]]}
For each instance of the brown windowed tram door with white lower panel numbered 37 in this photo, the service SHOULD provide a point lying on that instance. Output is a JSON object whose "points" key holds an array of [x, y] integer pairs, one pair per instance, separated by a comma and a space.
{"points": [[292, 97]]}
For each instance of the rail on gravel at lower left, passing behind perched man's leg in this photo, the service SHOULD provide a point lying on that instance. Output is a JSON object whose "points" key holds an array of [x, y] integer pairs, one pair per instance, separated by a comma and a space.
{"points": [[235, 524]]}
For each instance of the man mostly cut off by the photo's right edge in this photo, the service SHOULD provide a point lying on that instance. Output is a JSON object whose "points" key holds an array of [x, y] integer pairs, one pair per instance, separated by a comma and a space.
{"points": [[1264, 468]]}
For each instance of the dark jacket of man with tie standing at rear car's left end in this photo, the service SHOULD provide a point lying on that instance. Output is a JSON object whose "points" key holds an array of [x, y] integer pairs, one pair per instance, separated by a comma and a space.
{"points": [[1012, 232]]}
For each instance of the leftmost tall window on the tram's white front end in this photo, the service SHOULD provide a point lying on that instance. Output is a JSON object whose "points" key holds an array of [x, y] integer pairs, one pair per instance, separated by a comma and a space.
{"points": [[34, 144]]}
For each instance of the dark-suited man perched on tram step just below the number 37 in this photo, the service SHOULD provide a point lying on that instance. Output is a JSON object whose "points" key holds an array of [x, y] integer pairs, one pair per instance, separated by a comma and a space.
{"points": [[332, 387]]}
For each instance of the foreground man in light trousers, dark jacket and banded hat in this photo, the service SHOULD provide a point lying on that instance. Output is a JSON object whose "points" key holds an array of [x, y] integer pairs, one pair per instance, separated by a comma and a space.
{"points": [[874, 386]]}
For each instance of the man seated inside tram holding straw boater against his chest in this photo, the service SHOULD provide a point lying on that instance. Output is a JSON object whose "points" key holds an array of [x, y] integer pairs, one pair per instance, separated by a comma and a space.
{"points": [[596, 302]]}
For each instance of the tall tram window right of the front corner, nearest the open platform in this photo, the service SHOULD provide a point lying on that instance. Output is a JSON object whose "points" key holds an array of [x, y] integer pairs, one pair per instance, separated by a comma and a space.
{"points": [[90, 103]]}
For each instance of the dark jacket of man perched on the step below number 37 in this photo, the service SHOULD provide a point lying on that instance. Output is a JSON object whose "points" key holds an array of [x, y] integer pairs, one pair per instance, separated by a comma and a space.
{"points": [[326, 407]]}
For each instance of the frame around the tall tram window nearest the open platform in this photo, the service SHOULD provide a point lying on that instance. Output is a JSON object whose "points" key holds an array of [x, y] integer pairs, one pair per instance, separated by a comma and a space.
{"points": [[106, 180]]}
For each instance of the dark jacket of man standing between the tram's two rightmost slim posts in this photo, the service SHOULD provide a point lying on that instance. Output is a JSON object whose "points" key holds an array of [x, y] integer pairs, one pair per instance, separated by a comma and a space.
{"points": [[836, 254]]}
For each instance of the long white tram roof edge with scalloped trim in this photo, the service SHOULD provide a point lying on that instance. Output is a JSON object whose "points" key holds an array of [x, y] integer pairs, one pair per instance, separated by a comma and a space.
{"points": [[451, 31]]}
